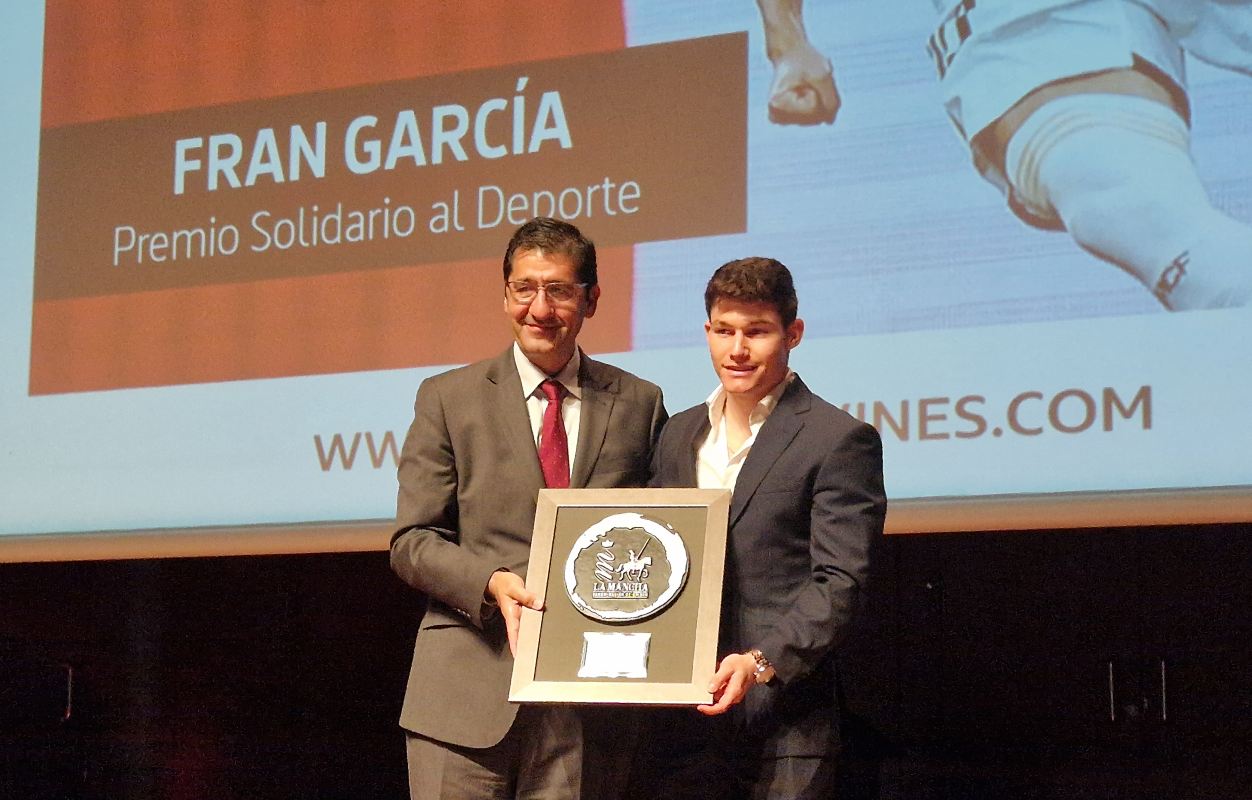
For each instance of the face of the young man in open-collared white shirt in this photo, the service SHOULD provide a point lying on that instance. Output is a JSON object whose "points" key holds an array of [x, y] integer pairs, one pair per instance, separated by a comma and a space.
{"points": [[749, 346]]}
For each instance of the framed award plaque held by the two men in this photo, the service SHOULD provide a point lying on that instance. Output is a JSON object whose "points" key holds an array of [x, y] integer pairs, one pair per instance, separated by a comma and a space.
{"points": [[632, 589]]}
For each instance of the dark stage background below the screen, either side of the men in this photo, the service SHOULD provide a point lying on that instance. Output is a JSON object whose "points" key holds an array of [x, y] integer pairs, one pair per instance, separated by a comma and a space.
{"points": [[1041, 664]]}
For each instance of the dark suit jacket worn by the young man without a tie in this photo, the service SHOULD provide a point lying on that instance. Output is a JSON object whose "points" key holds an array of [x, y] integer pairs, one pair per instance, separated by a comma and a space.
{"points": [[806, 514]]}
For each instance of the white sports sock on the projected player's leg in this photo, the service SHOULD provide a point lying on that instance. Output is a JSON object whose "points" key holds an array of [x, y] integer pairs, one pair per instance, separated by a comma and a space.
{"points": [[1117, 171]]}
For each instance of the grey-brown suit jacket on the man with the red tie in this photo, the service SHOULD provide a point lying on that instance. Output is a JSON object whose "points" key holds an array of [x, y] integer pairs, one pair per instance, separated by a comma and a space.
{"points": [[469, 481]]}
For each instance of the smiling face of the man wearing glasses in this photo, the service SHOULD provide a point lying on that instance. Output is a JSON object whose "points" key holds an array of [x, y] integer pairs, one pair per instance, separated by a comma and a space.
{"points": [[548, 332]]}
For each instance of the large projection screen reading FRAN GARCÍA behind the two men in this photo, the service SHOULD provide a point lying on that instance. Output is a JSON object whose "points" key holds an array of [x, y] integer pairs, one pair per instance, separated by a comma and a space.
{"points": [[236, 237]]}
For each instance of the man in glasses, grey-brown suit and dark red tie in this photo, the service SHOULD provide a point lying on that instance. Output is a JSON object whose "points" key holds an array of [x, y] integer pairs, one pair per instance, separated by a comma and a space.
{"points": [[485, 440]]}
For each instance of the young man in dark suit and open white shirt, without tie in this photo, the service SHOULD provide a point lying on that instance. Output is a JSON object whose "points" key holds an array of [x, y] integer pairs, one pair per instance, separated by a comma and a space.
{"points": [[807, 509]]}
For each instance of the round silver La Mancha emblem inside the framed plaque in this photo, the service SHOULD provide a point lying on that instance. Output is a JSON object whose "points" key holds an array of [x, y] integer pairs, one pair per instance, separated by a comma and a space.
{"points": [[625, 568]]}
